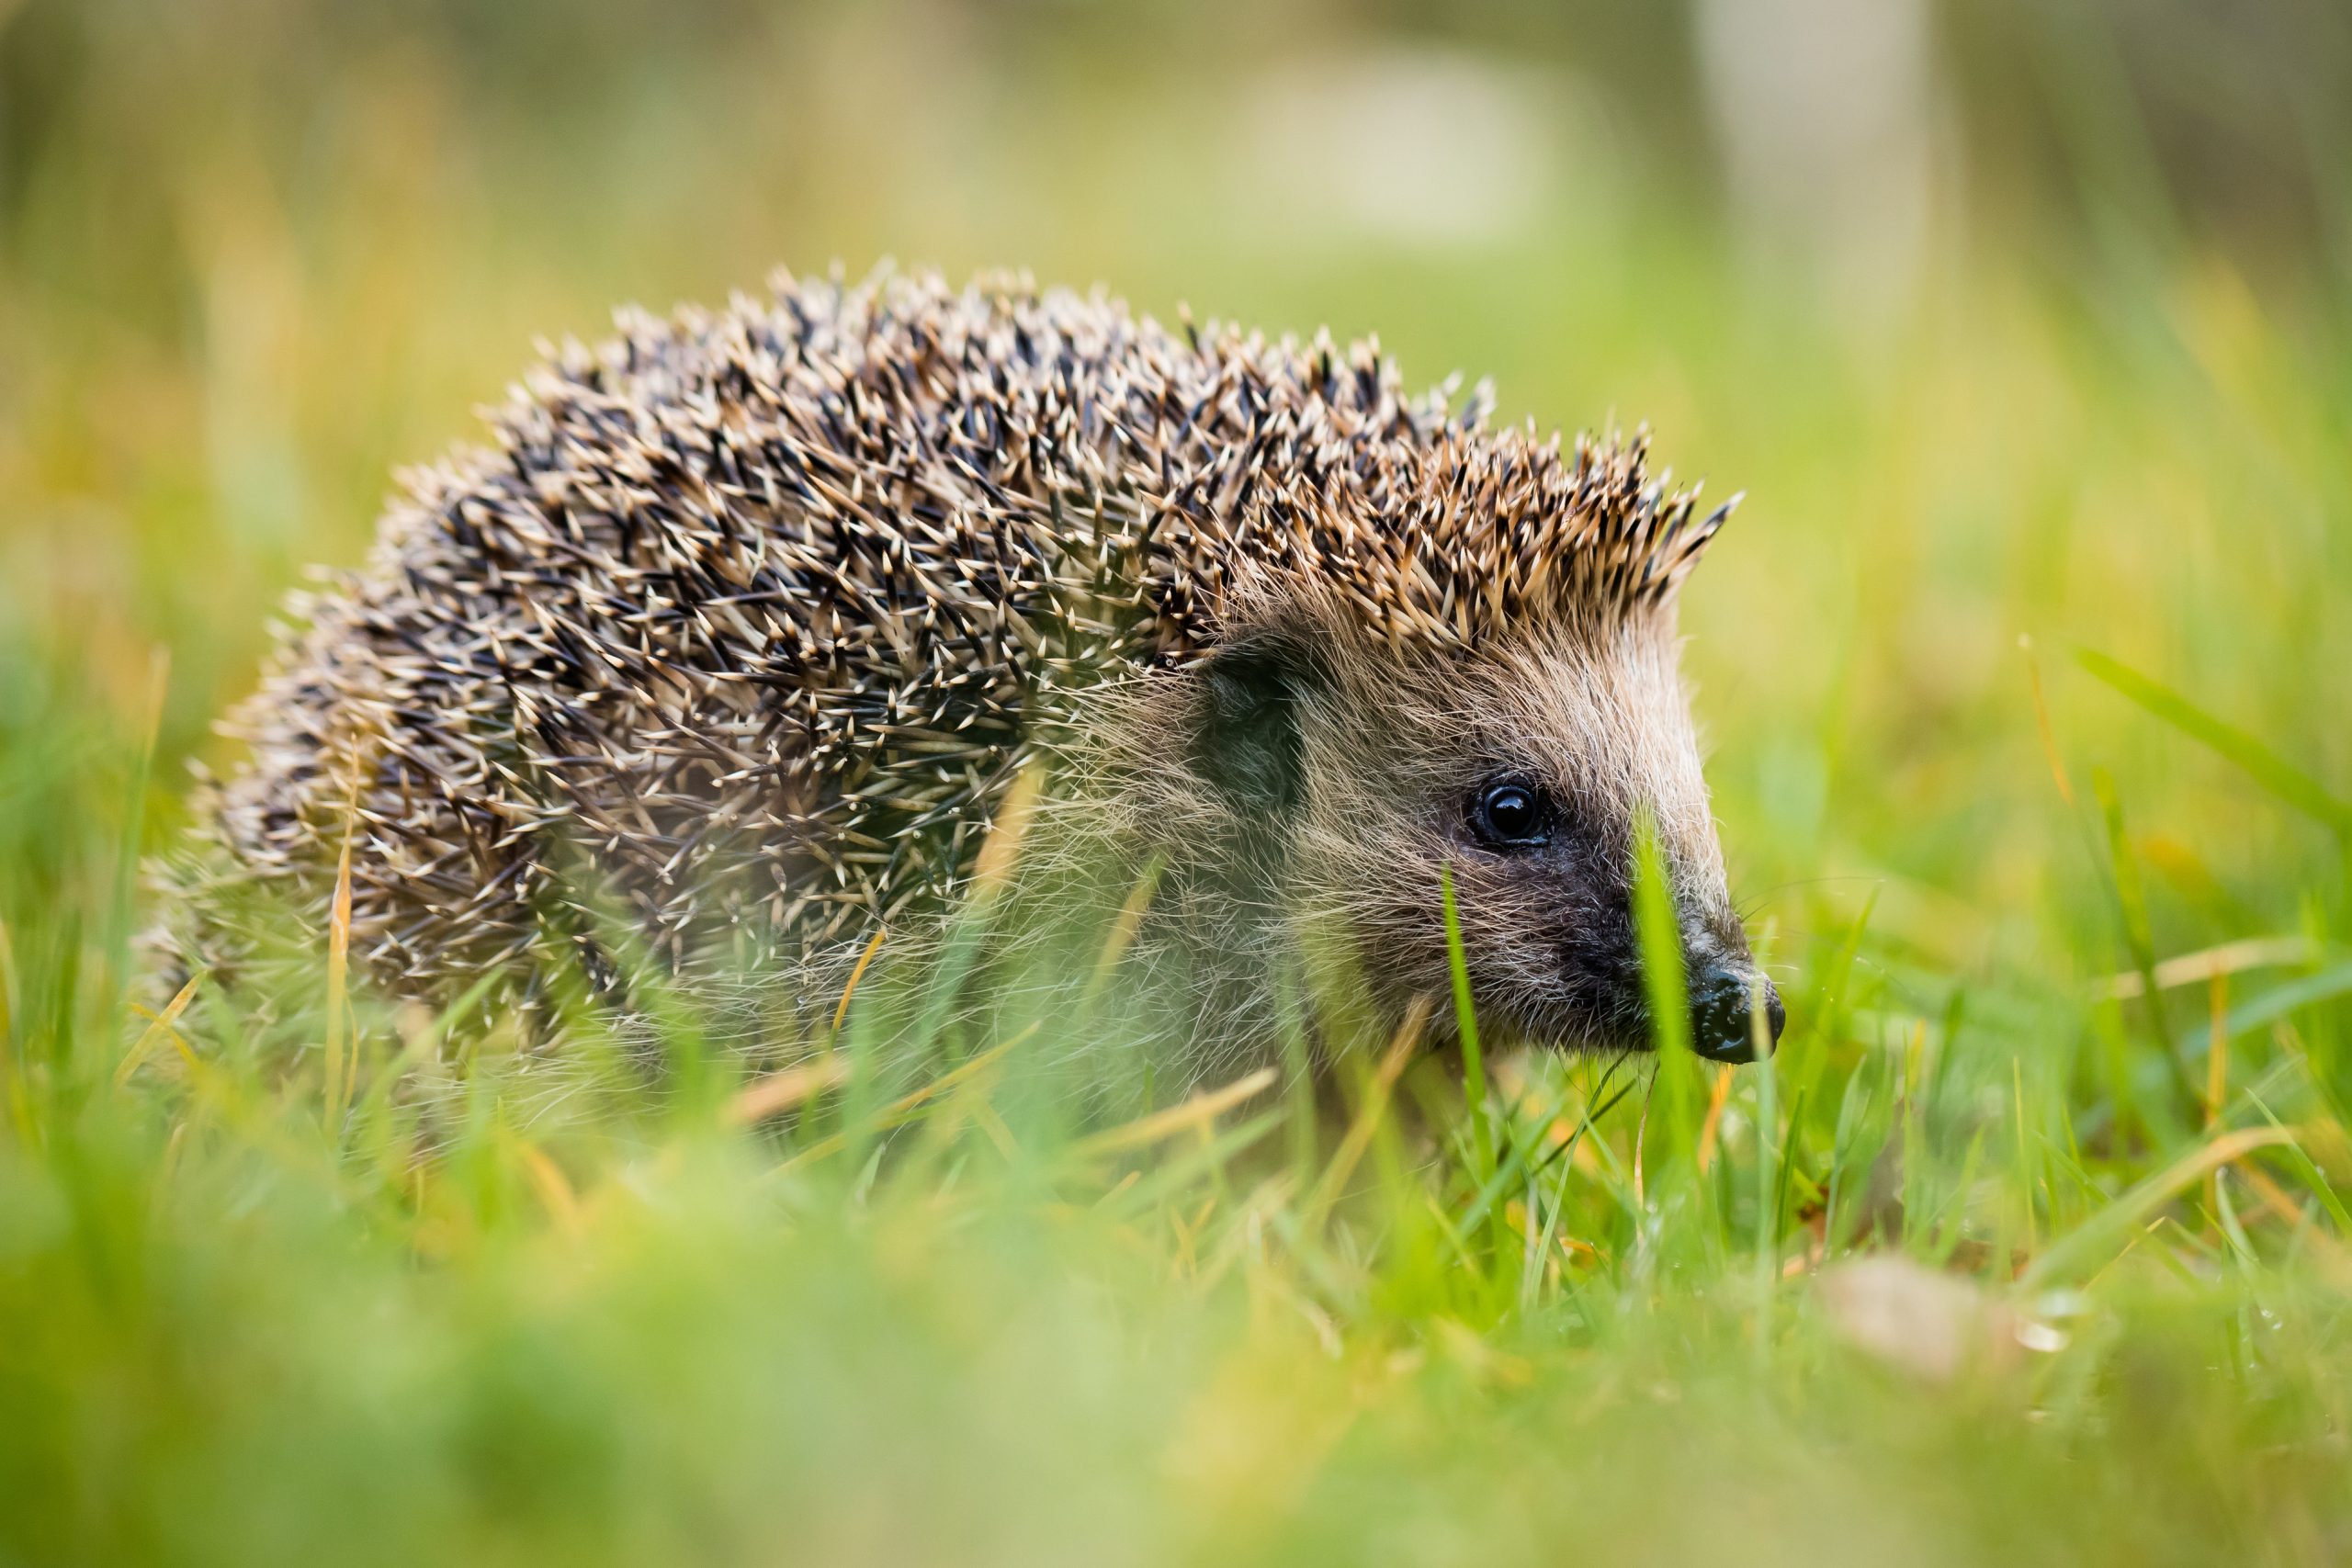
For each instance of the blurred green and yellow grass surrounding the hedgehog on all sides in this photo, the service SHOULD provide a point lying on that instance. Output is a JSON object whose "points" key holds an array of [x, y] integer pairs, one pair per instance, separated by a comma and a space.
{"points": [[2012, 319]]}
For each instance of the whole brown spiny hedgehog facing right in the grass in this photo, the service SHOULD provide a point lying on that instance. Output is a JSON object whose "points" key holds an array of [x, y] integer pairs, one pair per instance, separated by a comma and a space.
{"points": [[754, 622]]}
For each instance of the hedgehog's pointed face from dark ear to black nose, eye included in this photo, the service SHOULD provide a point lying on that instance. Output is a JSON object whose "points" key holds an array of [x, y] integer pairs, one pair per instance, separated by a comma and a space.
{"points": [[1525, 770]]}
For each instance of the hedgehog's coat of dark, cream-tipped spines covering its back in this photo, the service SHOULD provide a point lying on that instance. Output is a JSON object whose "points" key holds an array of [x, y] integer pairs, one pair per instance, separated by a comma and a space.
{"points": [[751, 617]]}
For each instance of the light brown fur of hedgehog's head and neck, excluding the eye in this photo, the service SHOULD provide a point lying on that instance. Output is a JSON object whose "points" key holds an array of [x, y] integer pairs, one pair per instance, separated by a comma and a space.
{"points": [[1332, 810]]}
